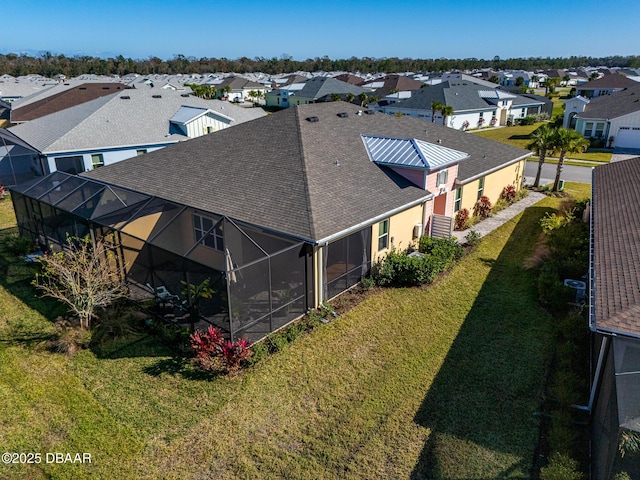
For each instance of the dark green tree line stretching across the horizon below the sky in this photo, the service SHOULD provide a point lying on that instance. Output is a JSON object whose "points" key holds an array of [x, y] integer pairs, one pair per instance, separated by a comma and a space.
{"points": [[50, 65]]}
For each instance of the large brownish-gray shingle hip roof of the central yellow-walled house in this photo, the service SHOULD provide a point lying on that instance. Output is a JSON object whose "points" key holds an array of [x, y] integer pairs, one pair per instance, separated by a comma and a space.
{"points": [[308, 179]]}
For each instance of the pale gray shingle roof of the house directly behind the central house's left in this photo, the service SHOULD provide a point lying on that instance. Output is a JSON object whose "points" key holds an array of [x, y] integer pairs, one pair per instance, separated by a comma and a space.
{"points": [[113, 121]]}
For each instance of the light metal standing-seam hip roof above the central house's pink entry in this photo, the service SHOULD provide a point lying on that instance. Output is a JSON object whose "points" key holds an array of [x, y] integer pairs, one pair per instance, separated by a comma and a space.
{"points": [[410, 152]]}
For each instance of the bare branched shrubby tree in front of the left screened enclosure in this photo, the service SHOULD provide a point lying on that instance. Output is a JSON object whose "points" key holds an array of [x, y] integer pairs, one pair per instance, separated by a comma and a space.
{"points": [[83, 277]]}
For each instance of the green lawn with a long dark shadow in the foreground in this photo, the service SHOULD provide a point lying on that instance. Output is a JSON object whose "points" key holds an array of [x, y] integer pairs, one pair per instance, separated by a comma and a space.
{"points": [[442, 382]]}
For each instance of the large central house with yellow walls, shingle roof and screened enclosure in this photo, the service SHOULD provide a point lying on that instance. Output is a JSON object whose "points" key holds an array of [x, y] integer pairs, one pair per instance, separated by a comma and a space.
{"points": [[293, 208]]}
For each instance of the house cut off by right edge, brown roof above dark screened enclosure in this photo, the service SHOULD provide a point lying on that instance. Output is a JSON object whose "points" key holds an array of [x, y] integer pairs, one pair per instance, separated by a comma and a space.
{"points": [[614, 316]]}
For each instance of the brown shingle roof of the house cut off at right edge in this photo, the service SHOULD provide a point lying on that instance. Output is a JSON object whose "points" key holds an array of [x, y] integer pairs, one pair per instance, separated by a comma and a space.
{"points": [[616, 237]]}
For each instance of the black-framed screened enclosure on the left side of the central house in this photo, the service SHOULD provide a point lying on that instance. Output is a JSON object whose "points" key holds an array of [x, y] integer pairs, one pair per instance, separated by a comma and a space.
{"points": [[262, 279]]}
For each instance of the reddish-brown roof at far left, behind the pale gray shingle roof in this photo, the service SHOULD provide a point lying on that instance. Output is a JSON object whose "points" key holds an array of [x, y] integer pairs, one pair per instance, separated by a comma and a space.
{"points": [[30, 109]]}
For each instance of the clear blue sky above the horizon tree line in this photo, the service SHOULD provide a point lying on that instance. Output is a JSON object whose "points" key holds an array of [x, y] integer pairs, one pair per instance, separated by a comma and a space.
{"points": [[338, 29]]}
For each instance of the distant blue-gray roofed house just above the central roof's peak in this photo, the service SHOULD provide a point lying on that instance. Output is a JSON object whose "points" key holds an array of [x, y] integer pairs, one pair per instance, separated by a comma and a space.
{"points": [[317, 89]]}
